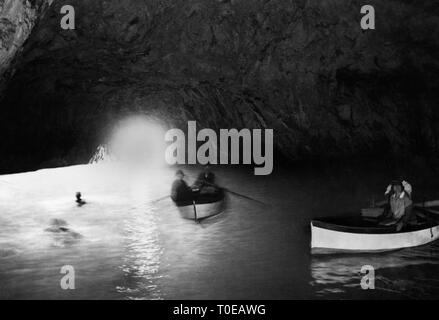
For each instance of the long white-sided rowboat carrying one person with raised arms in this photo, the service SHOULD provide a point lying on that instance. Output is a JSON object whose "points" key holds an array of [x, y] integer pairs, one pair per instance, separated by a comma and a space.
{"points": [[359, 234]]}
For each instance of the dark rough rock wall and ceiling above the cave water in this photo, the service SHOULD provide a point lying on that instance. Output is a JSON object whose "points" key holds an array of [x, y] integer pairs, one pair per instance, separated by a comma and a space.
{"points": [[302, 67]]}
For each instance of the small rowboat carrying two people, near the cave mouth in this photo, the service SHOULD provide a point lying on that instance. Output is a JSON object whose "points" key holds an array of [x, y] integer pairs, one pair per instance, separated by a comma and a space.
{"points": [[203, 206]]}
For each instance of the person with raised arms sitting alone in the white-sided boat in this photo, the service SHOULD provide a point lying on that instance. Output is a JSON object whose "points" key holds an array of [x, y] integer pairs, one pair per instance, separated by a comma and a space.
{"points": [[400, 203]]}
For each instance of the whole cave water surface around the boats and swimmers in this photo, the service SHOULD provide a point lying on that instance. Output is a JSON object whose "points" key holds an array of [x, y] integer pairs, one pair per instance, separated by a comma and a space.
{"points": [[132, 248]]}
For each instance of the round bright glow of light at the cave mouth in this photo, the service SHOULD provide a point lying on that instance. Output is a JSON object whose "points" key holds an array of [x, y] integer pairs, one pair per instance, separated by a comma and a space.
{"points": [[138, 140]]}
